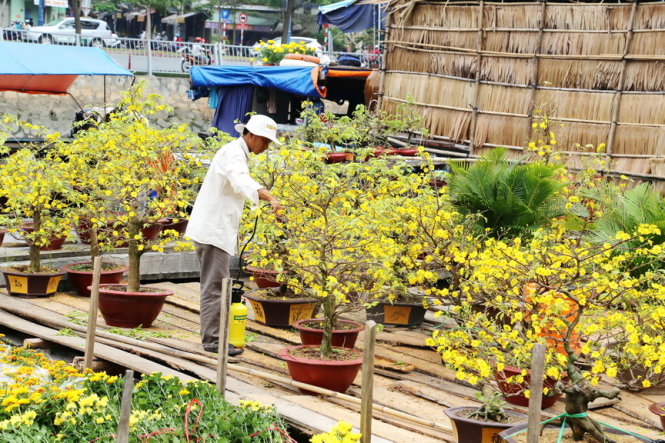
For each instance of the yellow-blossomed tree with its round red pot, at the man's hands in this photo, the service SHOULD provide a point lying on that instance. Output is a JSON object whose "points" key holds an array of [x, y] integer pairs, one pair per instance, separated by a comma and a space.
{"points": [[336, 250]]}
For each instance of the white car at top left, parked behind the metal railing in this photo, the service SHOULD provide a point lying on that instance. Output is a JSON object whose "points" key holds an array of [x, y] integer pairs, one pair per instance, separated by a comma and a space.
{"points": [[62, 31]]}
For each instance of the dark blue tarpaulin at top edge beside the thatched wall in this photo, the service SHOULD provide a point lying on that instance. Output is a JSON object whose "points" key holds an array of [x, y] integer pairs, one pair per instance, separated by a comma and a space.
{"points": [[352, 15]]}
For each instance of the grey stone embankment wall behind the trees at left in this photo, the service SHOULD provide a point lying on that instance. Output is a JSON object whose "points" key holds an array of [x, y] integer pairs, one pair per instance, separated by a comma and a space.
{"points": [[57, 112]]}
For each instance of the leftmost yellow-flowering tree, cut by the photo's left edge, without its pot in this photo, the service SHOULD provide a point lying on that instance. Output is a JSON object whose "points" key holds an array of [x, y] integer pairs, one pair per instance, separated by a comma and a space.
{"points": [[34, 186]]}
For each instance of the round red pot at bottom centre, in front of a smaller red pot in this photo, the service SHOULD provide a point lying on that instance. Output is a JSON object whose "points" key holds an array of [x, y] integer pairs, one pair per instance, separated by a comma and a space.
{"points": [[306, 366]]}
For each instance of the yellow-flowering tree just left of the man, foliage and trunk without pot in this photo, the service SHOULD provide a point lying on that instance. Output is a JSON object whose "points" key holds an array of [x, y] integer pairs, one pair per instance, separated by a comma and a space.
{"points": [[134, 175]]}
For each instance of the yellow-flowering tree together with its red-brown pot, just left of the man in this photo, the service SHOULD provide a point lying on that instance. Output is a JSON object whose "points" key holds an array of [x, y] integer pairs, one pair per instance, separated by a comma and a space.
{"points": [[143, 175]]}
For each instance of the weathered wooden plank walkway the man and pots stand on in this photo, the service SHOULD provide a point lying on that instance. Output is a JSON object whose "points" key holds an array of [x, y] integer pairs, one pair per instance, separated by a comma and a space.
{"points": [[409, 376]]}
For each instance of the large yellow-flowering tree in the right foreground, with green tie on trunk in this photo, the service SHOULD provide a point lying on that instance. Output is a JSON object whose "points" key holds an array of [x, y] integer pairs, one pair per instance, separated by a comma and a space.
{"points": [[576, 297]]}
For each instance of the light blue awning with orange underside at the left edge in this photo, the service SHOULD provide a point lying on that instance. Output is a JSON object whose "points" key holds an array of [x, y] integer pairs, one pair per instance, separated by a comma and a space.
{"points": [[50, 69]]}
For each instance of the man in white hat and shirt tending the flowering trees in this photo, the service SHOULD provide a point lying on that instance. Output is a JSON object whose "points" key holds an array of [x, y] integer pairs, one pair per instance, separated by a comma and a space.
{"points": [[215, 218]]}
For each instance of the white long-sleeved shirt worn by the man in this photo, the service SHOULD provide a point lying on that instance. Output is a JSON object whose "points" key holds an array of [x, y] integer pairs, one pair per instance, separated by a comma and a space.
{"points": [[215, 218]]}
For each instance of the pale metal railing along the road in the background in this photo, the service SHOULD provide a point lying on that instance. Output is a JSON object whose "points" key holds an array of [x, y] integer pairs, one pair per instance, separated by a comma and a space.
{"points": [[162, 56]]}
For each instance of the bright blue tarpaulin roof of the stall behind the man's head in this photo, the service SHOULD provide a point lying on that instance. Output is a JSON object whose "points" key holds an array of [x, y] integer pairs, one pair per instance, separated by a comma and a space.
{"points": [[293, 79]]}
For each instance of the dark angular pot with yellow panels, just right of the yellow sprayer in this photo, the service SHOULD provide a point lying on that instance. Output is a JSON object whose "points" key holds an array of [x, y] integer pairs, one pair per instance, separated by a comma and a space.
{"points": [[281, 312]]}
